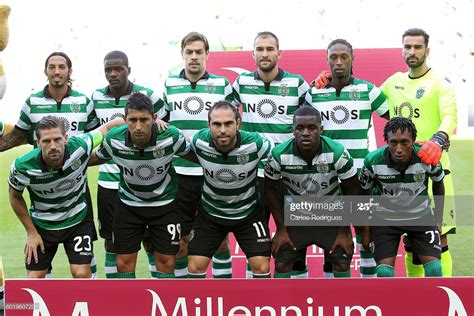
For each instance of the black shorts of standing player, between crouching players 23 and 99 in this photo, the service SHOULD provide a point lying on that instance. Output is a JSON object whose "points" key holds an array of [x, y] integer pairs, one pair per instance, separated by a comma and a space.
{"points": [[106, 201]]}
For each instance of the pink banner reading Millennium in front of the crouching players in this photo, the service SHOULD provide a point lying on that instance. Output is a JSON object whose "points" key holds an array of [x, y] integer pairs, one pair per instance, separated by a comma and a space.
{"points": [[373, 297]]}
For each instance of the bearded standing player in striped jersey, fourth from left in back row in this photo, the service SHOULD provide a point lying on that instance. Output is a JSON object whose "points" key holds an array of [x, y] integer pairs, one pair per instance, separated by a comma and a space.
{"points": [[269, 96]]}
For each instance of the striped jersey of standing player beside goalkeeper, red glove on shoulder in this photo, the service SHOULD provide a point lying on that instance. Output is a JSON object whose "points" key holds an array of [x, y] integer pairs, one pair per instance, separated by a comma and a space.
{"points": [[347, 117]]}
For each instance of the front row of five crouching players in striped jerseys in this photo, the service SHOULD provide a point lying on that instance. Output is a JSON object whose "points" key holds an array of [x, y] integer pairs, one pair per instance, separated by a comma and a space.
{"points": [[230, 201]]}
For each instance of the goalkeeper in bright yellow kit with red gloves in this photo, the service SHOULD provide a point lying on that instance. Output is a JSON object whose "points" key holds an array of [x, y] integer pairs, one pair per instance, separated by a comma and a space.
{"points": [[429, 101]]}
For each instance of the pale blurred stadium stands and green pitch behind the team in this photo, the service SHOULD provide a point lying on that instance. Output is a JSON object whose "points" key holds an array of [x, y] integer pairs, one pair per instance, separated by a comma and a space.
{"points": [[150, 36]]}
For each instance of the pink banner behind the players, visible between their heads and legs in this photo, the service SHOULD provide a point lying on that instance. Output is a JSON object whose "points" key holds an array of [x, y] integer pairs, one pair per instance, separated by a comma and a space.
{"points": [[373, 65]]}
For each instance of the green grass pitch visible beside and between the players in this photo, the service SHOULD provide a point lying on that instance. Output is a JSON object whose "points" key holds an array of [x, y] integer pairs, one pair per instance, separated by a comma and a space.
{"points": [[13, 236]]}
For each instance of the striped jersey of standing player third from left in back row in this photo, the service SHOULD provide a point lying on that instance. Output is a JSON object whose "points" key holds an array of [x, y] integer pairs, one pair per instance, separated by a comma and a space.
{"points": [[188, 104]]}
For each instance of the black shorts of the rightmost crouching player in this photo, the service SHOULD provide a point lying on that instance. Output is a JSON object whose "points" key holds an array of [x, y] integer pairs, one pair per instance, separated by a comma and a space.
{"points": [[425, 240]]}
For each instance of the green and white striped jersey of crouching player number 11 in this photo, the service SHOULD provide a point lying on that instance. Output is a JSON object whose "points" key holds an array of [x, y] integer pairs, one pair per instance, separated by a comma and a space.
{"points": [[230, 180]]}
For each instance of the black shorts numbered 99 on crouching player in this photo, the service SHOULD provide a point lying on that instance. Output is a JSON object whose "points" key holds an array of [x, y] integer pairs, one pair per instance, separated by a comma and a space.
{"points": [[131, 222]]}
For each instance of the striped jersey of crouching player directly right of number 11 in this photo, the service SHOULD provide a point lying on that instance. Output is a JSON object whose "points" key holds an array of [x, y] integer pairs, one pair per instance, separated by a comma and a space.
{"points": [[331, 163]]}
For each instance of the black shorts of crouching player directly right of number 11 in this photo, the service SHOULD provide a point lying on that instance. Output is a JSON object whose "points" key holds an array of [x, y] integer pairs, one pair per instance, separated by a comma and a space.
{"points": [[303, 237]]}
